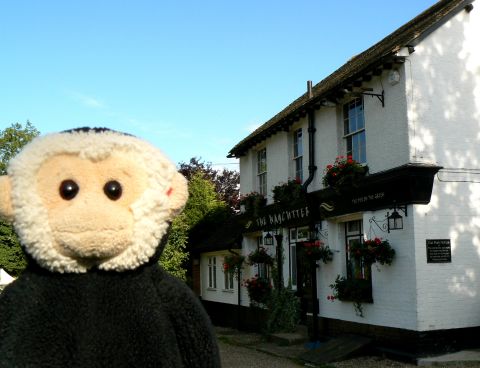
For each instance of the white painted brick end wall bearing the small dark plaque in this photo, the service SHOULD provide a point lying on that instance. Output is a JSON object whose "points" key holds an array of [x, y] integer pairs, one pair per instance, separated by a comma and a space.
{"points": [[444, 117]]}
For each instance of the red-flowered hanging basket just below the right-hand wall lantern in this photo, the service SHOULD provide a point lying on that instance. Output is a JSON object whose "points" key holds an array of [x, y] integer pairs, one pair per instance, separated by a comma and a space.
{"points": [[373, 251]]}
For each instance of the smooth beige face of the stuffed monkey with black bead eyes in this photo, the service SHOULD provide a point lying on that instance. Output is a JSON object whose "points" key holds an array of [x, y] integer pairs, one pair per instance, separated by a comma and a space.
{"points": [[89, 203]]}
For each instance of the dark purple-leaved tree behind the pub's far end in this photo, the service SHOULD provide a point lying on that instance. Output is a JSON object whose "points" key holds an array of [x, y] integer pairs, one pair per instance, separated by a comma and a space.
{"points": [[227, 182]]}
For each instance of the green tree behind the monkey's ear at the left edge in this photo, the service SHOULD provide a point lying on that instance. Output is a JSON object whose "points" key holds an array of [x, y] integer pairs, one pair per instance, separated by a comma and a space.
{"points": [[12, 139]]}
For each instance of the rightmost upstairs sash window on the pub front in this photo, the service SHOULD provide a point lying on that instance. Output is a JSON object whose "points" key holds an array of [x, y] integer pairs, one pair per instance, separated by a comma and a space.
{"points": [[354, 129]]}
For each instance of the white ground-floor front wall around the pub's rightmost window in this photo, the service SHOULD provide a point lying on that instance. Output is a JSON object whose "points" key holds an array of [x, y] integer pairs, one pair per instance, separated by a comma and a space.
{"points": [[393, 286]]}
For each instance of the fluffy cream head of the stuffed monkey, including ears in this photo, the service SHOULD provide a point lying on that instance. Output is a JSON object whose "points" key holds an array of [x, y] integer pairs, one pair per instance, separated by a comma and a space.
{"points": [[91, 197]]}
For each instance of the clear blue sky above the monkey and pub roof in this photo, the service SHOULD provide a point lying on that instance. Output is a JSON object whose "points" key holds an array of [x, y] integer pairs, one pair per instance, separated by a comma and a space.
{"points": [[192, 77]]}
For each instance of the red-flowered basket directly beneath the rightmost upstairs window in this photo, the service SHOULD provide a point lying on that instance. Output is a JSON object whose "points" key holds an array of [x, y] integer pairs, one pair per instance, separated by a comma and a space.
{"points": [[344, 171]]}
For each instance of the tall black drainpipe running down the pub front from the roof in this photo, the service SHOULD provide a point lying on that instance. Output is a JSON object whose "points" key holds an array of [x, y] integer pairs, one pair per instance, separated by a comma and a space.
{"points": [[311, 172]]}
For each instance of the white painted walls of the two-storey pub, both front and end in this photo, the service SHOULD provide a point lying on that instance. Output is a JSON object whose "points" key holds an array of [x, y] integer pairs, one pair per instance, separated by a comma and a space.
{"points": [[432, 115]]}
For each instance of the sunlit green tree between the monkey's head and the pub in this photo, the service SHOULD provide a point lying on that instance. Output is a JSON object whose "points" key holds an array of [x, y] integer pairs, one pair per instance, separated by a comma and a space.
{"points": [[202, 201]]}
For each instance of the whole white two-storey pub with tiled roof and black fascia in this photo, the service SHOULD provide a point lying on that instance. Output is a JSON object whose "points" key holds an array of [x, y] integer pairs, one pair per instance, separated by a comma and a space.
{"points": [[406, 114]]}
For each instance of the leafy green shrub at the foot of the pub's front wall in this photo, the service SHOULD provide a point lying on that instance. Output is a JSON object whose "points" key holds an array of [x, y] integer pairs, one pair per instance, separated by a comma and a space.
{"points": [[283, 311]]}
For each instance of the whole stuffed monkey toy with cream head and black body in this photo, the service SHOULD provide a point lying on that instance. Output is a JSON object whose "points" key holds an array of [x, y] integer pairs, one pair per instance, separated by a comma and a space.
{"points": [[92, 208]]}
